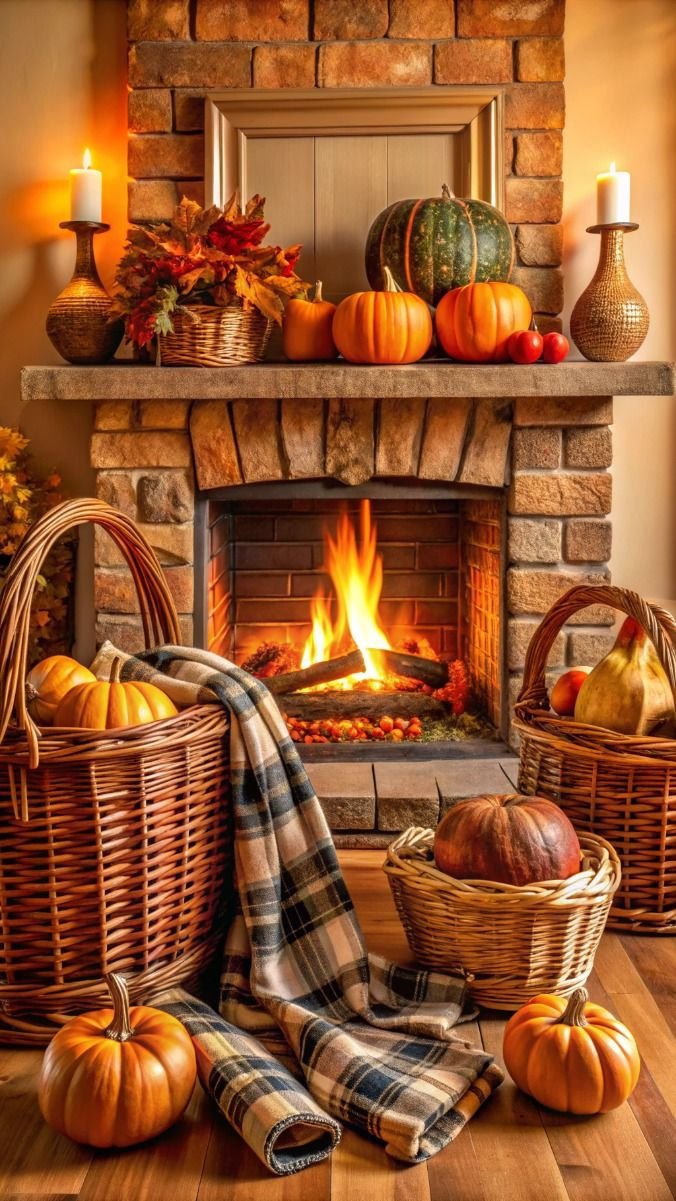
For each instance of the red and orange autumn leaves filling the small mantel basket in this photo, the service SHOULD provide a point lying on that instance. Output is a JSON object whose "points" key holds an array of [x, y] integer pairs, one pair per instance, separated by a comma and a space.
{"points": [[202, 258]]}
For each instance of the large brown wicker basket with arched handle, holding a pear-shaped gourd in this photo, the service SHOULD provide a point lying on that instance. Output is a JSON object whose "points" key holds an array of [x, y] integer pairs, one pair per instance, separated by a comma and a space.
{"points": [[619, 786]]}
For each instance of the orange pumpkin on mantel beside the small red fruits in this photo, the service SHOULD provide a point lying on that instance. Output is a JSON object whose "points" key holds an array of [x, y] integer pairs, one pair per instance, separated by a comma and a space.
{"points": [[474, 324]]}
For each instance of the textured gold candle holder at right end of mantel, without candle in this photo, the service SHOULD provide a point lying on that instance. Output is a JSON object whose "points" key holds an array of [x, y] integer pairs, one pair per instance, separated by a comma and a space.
{"points": [[612, 319]]}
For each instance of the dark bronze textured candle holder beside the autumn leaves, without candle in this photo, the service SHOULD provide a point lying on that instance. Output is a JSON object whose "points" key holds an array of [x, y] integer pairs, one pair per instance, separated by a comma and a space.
{"points": [[77, 321]]}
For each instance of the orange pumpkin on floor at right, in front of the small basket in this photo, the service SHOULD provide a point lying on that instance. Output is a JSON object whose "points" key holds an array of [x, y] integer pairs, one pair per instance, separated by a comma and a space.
{"points": [[571, 1055]]}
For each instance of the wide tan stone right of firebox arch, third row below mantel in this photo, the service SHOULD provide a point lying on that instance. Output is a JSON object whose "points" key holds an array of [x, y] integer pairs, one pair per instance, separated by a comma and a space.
{"points": [[558, 495]]}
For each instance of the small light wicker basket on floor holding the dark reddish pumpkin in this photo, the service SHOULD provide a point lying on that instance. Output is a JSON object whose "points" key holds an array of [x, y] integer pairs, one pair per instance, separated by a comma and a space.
{"points": [[510, 942]]}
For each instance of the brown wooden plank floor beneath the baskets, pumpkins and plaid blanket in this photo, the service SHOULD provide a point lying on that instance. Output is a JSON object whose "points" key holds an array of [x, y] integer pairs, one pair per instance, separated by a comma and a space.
{"points": [[512, 1151]]}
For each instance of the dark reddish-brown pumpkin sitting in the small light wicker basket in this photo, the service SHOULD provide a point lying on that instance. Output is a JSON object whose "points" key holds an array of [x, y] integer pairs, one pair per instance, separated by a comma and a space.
{"points": [[512, 840]]}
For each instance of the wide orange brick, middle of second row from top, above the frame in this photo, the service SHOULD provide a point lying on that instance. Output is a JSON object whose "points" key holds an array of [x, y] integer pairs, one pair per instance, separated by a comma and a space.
{"points": [[372, 64]]}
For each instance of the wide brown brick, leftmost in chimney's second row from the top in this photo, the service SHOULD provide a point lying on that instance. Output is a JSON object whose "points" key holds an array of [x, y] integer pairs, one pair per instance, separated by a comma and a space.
{"points": [[189, 65]]}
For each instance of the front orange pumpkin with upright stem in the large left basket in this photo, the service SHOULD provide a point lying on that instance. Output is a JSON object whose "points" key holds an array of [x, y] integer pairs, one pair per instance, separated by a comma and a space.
{"points": [[109, 706]]}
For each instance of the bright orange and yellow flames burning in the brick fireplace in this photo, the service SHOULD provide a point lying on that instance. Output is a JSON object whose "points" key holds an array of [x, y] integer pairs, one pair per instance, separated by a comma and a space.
{"points": [[357, 575]]}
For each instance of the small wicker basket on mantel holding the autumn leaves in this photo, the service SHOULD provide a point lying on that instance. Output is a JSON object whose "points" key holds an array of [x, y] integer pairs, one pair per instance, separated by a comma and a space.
{"points": [[211, 337]]}
